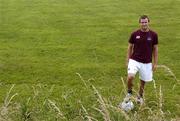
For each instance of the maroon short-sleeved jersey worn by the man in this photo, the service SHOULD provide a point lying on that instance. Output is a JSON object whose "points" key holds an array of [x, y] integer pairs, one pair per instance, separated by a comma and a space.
{"points": [[143, 45]]}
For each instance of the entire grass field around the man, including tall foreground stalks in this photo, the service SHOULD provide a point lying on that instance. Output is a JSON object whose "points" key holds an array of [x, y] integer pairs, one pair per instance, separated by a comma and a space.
{"points": [[65, 59]]}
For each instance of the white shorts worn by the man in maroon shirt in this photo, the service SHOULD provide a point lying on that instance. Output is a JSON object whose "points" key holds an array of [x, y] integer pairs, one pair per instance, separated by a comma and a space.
{"points": [[144, 69]]}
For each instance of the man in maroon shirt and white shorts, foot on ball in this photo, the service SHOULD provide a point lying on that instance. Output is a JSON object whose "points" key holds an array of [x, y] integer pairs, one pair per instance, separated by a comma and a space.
{"points": [[143, 44]]}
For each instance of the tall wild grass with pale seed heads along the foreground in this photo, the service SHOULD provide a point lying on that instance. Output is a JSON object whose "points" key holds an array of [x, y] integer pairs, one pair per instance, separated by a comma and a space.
{"points": [[32, 110]]}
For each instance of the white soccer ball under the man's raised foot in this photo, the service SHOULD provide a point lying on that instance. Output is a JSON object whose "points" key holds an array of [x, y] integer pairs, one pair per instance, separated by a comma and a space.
{"points": [[127, 106]]}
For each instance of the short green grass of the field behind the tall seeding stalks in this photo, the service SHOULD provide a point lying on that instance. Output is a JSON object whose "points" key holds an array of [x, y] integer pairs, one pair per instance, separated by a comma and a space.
{"points": [[48, 42]]}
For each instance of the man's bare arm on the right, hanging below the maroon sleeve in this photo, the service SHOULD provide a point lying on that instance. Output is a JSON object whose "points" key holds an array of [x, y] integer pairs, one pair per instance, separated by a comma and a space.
{"points": [[155, 57]]}
